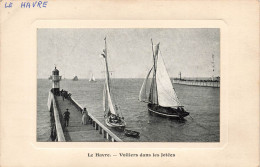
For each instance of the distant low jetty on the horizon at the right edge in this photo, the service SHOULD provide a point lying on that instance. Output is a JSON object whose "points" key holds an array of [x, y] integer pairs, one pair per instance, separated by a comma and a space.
{"points": [[205, 83]]}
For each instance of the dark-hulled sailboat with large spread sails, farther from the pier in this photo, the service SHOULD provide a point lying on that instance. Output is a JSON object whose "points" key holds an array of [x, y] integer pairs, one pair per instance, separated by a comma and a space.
{"points": [[159, 92]]}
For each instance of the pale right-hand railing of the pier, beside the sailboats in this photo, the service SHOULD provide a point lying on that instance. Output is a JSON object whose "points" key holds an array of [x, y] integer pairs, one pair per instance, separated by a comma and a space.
{"points": [[98, 125]]}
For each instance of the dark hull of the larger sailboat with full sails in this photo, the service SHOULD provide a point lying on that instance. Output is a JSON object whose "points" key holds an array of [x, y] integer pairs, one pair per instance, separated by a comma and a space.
{"points": [[166, 111]]}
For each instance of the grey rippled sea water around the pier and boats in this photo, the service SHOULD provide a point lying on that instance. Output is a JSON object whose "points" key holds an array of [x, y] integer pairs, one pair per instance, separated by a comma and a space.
{"points": [[203, 103]]}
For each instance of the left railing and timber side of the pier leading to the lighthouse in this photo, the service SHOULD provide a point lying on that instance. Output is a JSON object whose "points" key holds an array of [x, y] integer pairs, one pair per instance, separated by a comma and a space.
{"points": [[56, 128]]}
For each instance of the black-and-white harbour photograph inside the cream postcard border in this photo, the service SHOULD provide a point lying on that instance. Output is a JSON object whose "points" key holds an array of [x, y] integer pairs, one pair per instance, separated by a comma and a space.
{"points": [[128, 85]]}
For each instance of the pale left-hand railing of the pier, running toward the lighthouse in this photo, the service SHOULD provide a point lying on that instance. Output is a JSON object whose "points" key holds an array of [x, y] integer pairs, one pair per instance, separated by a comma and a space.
{"points": [[58, 127]]}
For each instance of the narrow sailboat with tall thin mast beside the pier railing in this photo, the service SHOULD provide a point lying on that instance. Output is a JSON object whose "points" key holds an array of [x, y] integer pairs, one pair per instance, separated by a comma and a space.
{"points": [[112, 113]]}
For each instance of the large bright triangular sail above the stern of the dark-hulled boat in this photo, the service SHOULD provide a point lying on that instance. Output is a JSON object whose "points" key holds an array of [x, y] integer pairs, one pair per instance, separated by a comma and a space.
{"points": [[166, 94]]}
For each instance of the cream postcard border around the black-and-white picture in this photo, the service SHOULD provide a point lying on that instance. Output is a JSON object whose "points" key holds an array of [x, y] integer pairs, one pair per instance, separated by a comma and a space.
{"points": [[239, 71]]}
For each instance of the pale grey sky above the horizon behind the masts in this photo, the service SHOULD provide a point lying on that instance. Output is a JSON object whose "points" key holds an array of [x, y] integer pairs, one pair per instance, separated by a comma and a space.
{"points": [[78, 51]]}
